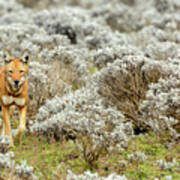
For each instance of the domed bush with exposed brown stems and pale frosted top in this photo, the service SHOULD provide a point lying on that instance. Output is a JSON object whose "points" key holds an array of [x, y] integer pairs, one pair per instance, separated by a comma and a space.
{"points": [[125, 82]]}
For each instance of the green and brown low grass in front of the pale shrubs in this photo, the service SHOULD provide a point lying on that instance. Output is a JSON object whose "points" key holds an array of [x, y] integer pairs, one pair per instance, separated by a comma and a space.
{"points": [[51, 160]]}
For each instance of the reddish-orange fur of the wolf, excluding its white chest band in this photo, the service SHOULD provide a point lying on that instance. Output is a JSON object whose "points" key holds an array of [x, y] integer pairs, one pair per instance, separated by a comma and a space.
{"points": [[6, 89]]}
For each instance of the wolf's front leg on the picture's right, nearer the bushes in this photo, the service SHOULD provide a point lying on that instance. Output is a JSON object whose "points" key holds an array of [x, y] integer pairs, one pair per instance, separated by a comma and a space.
{"points": [[22, 125]]}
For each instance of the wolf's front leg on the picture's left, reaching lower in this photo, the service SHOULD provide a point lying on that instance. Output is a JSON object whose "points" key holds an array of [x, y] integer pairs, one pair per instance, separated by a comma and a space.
{"points": [[6, 124]]}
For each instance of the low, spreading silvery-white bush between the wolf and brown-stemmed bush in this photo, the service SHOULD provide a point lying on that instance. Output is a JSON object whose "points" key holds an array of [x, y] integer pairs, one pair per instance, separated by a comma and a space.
{"points": [[83, 114]]}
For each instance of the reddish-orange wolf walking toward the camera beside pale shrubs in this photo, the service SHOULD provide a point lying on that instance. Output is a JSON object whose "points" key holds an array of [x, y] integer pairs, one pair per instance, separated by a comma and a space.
{"points": [[14, 92]]}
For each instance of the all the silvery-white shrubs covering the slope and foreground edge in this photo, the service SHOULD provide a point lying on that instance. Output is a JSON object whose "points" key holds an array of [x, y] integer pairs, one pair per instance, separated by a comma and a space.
{"points": [[132, 49]]}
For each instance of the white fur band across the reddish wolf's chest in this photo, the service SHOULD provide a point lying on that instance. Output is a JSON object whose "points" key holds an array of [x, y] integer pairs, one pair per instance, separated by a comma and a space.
{"points": [[7, 100]]}
